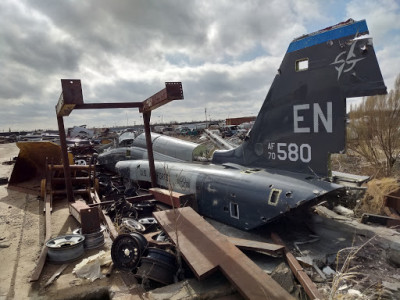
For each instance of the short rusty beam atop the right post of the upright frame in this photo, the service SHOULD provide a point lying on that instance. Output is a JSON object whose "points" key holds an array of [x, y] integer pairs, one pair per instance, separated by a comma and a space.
{"points": [[172, 91]]}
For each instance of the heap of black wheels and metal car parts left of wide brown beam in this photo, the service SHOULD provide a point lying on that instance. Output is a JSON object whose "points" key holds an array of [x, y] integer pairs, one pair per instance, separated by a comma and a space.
{"points": [[151, 257]]}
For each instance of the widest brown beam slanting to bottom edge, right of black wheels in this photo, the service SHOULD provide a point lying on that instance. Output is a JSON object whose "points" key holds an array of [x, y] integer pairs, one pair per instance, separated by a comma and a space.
{"points": [[205, 250]]}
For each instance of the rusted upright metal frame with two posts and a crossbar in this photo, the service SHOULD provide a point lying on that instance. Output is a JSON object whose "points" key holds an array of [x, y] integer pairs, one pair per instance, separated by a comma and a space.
{"points": [[72, 98]]}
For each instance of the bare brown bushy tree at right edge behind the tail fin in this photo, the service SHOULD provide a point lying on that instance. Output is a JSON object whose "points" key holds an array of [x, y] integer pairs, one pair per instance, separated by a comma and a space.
{"points": [[374, 130]]}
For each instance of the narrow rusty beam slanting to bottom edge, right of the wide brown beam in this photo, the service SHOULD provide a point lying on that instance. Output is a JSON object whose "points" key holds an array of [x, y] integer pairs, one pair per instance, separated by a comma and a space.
{"points": [[298, 271]]}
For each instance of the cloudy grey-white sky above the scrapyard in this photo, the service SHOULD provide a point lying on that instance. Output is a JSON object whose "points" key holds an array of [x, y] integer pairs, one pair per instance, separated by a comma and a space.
{"points": [[225, 53]]}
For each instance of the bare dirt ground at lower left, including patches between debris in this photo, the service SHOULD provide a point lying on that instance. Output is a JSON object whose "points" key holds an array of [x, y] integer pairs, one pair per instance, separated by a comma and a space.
{"points": [[21, 240]]}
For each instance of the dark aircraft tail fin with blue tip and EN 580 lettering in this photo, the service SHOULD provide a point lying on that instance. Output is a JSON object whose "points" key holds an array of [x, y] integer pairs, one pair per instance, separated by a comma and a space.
{"points": [[303, 118]]}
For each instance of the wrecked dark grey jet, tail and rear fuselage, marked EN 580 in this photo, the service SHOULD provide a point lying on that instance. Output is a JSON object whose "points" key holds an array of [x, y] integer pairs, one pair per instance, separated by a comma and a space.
{"points": [[284, 162]]}
